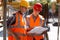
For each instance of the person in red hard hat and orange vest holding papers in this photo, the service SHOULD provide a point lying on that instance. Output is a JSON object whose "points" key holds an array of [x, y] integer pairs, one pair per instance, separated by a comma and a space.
{"points": [[34, 20]]}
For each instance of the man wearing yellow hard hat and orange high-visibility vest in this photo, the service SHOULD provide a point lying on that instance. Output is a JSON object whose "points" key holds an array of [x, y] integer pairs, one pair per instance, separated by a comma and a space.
{"points": [[16, 24]]}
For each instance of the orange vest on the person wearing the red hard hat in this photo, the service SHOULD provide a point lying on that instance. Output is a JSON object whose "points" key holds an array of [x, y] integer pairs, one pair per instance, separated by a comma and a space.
{"points": [[35, 23]]}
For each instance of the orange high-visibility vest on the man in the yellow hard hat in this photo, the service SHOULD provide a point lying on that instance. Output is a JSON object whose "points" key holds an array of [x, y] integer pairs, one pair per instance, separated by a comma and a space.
{"points": [[18, 30]]}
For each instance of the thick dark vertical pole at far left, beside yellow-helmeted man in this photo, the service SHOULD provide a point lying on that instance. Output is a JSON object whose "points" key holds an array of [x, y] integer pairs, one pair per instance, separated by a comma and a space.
{"points": [[4, 18]]}
